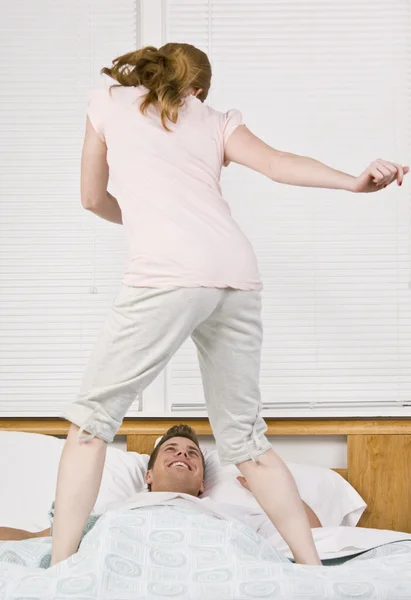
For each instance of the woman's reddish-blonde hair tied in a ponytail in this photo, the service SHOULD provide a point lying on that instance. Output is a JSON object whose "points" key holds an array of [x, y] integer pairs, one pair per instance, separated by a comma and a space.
{"points": [[169, 73]]}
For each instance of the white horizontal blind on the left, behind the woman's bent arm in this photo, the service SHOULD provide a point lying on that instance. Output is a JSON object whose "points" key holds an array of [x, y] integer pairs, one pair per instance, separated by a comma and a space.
{"points": [[59, 265]]}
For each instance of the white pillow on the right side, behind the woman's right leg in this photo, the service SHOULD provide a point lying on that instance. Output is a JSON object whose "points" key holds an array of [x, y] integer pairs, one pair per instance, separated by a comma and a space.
{"points": [[331, 497]]}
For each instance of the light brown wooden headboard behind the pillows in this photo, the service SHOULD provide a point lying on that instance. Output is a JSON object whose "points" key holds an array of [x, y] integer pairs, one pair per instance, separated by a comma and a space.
{"points": [[378, 455]]}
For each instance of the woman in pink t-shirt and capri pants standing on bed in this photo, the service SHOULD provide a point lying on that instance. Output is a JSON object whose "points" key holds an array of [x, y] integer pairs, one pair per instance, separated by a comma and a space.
{"points": [[191, 272]]}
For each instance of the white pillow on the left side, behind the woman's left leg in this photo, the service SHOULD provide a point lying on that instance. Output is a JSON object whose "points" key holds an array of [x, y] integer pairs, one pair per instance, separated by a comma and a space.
{"points": [[28, 475]]}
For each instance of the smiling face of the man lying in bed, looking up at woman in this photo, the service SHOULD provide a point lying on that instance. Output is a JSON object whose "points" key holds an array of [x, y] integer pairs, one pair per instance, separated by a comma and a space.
{"points": [[178, 468]]}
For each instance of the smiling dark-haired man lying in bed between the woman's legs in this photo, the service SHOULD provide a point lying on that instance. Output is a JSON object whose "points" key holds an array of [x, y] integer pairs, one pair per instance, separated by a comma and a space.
{"points": [[175, 475]]}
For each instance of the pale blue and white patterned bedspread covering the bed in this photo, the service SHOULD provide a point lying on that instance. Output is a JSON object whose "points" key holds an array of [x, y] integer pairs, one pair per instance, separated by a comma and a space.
{"points": [[163, 552]]}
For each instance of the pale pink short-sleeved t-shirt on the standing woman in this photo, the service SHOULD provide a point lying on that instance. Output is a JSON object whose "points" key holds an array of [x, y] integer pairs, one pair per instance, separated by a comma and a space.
{"points": [[180, 229]]}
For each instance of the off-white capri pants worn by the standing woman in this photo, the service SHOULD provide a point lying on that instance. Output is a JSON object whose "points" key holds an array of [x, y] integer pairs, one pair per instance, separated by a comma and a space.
{"points": [[143, 330]]}
